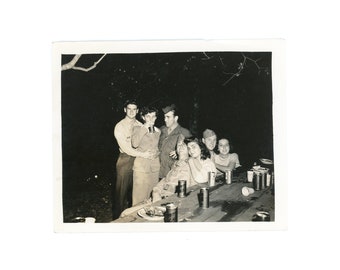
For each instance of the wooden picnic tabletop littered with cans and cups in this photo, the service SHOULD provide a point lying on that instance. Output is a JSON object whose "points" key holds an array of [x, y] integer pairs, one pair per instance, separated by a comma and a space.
{"points": [[226, 203]]}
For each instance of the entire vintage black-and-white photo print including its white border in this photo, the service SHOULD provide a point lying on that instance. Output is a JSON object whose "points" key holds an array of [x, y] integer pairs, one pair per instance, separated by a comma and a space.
{"points": [[168, 134]]}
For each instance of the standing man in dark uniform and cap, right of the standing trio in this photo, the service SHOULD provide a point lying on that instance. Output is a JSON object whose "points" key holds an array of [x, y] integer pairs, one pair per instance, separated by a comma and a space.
{"points": [[171, 133]]}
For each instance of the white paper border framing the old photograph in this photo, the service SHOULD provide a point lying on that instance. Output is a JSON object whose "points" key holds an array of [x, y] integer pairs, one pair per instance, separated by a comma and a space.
{"points": [[276, 46]]}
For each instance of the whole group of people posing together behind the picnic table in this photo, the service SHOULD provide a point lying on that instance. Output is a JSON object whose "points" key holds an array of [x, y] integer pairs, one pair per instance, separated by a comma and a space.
{"points": [[152, 160]]}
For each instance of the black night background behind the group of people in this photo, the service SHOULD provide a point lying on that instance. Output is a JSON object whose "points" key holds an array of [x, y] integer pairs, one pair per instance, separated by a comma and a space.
{"points": [[239, 109]]}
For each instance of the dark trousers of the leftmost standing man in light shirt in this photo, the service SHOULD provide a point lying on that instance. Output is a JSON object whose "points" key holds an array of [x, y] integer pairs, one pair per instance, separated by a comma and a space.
{"points": [[124, 183]]}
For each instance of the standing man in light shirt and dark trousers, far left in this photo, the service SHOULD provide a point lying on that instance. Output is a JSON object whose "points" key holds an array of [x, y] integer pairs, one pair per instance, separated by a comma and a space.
{"points": [[124, 179]]}
